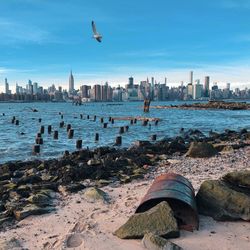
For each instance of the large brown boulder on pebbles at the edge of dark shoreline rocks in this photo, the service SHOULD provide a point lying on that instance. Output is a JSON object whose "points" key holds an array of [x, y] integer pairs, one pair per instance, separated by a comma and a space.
{"points": [[201, 150]]}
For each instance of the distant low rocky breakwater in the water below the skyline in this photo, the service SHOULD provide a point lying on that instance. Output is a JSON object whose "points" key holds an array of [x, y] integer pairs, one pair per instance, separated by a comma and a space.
{"points": [[209, 105]]}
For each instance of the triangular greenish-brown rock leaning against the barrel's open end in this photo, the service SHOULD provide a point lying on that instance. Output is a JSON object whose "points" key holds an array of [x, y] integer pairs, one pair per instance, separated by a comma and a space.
{"points": [[159, 220]]}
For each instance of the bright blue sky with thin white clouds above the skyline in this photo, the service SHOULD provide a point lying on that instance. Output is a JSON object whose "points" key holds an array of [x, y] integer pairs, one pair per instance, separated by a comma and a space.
{"points": [[43, 40]]}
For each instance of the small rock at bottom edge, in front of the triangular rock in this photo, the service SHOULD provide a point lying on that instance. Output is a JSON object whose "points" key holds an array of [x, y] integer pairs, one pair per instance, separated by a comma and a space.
{"points": [[154, 242]]}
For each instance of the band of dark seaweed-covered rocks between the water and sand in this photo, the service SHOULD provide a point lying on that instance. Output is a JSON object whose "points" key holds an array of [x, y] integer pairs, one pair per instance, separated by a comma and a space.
{"points": [[31, 188]]}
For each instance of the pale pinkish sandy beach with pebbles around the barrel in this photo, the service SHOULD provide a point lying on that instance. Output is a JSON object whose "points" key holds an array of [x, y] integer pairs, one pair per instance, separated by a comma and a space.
{"points": [[82, 224]]}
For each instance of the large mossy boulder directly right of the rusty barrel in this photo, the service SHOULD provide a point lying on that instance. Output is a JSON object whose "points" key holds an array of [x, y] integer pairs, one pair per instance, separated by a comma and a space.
{"points": [[217, 200]]}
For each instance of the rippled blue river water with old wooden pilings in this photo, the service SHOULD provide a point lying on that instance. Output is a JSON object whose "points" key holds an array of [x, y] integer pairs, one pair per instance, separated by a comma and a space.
{"points": [[14, 146]]}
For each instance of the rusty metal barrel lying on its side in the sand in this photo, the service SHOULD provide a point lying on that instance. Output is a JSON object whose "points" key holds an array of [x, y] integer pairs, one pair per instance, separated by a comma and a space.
{"points": [[180, 195]]}
